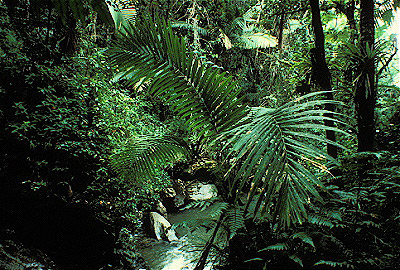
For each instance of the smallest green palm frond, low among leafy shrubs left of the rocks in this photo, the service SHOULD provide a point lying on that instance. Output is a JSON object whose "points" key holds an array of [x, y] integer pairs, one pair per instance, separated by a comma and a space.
{"points": [[144, 155]]}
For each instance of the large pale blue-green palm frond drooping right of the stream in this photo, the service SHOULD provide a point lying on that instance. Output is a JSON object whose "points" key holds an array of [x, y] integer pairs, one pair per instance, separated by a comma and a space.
{"points": [[269, 147]]}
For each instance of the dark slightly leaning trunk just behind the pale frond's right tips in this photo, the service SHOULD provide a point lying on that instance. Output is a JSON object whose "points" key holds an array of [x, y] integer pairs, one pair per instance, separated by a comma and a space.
{"points": [[321, 73]]}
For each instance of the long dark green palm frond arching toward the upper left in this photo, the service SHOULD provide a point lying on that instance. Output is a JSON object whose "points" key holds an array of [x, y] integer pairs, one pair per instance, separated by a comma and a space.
{"points": [[151, 53]]}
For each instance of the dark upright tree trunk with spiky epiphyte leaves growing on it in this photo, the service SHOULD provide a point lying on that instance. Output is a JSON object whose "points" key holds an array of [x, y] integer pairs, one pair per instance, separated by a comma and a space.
{"points": [[365, 97]]}
